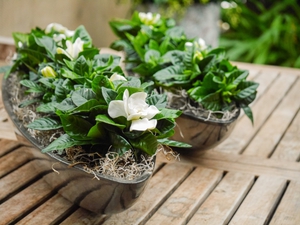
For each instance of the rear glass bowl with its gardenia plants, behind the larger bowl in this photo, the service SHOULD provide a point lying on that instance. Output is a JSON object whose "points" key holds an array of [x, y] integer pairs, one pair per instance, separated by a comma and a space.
{"points": [[198, 79]]}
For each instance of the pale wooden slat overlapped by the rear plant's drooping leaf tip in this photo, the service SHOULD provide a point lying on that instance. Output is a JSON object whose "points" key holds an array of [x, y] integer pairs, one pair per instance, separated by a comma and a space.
{"points": [[244, 131]]}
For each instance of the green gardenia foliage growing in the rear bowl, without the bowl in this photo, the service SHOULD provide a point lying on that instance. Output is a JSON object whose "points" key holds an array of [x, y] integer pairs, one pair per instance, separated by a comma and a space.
{"points": [[202, 76]]}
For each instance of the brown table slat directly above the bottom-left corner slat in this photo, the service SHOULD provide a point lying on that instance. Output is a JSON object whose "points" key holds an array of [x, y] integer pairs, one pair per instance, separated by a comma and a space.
{"points": [[18, 178]]}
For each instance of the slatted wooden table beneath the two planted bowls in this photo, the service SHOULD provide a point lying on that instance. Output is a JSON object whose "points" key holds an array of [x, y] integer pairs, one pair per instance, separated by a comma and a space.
{"points": [[251, 178]]}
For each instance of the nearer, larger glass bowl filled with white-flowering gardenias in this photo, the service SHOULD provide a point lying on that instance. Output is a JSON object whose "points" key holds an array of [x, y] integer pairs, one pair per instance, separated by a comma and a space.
{"points": [[75, 104]]}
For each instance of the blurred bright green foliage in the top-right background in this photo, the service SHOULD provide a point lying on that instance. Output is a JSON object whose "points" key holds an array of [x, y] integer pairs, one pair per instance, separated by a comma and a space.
{"points": [[263, 32]]}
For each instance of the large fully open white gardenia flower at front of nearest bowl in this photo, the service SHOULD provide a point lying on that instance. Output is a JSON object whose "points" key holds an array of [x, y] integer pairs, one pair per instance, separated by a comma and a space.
{"points": [[135, 109]]}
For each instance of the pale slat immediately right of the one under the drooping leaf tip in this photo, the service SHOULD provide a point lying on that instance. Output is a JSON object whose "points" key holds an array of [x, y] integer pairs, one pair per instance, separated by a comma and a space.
{"points": [[268, 138]]}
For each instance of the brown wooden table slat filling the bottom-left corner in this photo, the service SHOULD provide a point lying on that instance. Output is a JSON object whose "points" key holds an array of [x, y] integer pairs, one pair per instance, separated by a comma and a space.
{"points": [[18, 205]]}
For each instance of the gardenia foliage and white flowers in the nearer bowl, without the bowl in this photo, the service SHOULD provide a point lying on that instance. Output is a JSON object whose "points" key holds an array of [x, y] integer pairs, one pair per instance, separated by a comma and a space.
{"points": [[83, 98]]}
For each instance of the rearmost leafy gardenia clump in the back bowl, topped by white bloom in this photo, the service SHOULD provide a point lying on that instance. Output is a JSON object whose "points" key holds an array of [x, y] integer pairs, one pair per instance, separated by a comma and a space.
{"points": [[145, 38]]}
